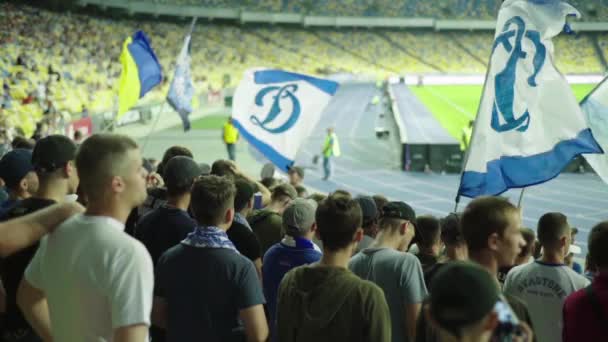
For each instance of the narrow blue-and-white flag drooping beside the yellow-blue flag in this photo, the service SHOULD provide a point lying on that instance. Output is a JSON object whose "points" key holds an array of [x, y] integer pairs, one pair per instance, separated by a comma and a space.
{"points": [[181, 90]]}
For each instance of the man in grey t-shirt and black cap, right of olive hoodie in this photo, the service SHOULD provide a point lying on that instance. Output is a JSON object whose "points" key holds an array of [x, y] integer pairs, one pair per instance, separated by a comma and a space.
{"points": [[398, 273]]}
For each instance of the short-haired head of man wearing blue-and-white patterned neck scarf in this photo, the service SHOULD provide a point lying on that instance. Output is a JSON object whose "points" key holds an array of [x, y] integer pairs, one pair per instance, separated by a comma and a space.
{"points": [[213, 200]]}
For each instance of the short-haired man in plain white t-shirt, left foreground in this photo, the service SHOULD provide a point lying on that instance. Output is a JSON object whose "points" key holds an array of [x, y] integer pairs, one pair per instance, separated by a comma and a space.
{"points": [[106, 274]]}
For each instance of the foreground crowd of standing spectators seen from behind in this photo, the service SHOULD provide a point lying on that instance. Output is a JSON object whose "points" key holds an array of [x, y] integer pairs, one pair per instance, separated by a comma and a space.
{"points": [[184, 251]]}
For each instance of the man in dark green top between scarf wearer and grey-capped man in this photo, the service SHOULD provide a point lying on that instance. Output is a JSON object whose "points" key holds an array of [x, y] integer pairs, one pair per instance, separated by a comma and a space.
{"points": [[267, 223]]}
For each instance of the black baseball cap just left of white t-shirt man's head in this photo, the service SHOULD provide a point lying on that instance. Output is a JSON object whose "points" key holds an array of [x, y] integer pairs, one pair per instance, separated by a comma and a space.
{"points": [[53, 152]]}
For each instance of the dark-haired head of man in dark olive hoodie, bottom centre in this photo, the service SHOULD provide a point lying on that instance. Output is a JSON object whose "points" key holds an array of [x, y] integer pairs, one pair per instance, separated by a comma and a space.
{"points": [[339, 220]]}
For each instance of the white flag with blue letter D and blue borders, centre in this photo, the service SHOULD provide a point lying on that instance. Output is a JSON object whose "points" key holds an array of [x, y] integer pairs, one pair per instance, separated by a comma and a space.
{"points": [[275, 111]]}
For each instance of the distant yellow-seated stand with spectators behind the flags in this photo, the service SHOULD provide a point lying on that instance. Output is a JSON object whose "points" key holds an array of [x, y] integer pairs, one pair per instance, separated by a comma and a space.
{"points": [[67, 64]]}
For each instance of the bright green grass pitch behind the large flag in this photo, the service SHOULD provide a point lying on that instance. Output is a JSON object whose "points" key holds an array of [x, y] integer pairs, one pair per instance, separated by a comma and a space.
{"points": [[455, 105]]}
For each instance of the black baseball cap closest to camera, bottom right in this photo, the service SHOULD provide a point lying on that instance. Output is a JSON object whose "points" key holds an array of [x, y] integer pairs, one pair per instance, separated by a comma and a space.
{"points": [[462, 293]]}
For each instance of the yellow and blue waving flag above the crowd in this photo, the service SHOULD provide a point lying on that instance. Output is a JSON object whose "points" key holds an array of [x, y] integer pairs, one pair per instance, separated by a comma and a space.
{"points": [[140, 71]]}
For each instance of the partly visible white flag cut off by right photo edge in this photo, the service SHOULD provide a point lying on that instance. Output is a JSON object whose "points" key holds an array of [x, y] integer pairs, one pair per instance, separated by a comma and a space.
{"points": [[595, 107]]}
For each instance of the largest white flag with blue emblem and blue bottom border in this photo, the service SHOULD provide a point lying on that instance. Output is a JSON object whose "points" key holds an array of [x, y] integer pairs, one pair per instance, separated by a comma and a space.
{"points": [[529, 125]]}
